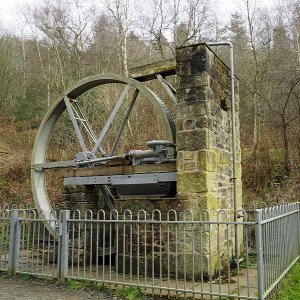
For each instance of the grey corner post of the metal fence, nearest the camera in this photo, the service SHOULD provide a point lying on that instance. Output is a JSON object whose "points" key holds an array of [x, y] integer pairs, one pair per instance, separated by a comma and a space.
{"points": [[259, 251]]}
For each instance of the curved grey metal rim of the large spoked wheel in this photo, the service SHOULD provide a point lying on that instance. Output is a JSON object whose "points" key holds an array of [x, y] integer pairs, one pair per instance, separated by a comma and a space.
{"points": [[39, 190]]}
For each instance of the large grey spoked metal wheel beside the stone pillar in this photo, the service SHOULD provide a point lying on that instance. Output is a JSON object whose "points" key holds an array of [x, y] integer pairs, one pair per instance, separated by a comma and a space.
{"points": [[69, 138]]}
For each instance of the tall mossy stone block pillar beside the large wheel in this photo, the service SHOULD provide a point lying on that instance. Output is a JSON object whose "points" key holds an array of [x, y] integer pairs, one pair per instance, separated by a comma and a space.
{"points": [[204, 140]]}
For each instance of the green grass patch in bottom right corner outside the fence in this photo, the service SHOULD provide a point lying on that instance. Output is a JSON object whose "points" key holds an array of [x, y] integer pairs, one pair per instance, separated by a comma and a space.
{"points": [[289, 288]]}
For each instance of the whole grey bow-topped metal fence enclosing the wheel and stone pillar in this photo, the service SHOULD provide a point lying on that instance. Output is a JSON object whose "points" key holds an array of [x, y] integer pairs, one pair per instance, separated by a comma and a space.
{"points": [[189, 254]]}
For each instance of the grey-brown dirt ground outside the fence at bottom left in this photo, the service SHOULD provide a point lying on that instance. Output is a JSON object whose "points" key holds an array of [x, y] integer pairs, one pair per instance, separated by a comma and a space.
{"points": [[18, 289]]}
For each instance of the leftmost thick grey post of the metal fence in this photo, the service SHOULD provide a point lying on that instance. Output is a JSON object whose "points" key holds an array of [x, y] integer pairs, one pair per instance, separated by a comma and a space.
{"points": [[14, 243]]}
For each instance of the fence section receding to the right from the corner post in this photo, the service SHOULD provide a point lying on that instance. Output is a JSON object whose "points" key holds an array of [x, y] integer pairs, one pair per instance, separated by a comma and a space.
{"points": [[279, 242]]}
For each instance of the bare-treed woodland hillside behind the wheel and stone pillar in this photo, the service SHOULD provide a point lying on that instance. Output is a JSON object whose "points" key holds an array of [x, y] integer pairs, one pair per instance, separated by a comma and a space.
{"points": [[57, 43]]}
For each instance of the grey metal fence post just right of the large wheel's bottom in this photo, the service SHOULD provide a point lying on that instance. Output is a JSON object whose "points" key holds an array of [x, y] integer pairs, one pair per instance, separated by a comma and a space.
{"points": [[63, 249]]}
